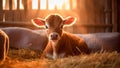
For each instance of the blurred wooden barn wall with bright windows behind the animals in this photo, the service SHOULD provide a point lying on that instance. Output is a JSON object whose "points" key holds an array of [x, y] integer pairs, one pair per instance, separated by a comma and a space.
{"points": [[92, 15]]}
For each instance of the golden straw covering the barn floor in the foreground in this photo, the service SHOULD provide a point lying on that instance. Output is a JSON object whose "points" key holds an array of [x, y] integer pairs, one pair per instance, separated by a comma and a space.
{"points": [[21, 58]]}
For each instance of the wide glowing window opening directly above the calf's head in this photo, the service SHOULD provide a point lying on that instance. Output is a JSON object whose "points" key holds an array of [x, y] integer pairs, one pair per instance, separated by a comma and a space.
{"points": [[54, 4]]}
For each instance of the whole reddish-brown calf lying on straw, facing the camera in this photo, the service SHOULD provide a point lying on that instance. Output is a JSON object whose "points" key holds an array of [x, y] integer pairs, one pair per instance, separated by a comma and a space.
{"points": [[60, 43]]}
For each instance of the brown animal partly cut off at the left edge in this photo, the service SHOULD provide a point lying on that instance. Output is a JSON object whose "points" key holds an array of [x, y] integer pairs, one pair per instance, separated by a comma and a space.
{"points": [[4, 46]]}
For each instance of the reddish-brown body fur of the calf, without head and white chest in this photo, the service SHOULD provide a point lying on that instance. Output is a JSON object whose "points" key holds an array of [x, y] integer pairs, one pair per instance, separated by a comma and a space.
{"points": [[69, 45]]}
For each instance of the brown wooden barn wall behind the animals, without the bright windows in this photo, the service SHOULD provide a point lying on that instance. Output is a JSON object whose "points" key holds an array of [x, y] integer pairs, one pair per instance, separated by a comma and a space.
{"points": [[92, 16]]}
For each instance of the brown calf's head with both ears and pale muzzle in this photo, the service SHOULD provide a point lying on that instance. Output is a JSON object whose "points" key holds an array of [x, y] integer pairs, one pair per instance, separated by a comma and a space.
{"points": [[54, 25]]}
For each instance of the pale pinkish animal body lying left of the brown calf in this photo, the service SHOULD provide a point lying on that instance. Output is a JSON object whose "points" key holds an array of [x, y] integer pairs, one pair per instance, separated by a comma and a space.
{"points": [[26, 38]]}
